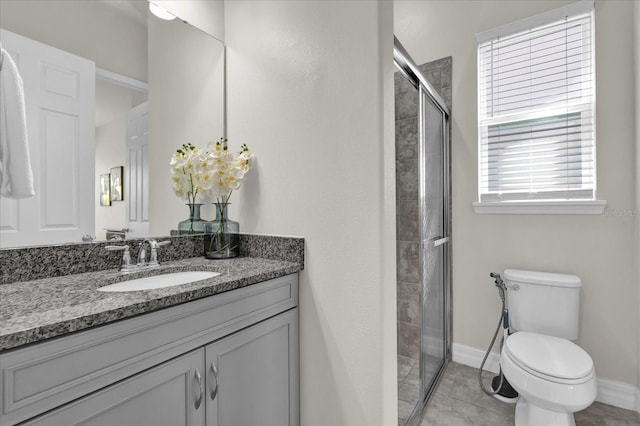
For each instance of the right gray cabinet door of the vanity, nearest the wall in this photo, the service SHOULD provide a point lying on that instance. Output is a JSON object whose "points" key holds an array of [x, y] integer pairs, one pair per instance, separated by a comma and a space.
{"points": [[252, 375]]}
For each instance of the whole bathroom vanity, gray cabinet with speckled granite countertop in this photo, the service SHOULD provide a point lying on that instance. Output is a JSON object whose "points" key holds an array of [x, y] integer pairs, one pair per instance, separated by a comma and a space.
{"points": [[223, 350]]}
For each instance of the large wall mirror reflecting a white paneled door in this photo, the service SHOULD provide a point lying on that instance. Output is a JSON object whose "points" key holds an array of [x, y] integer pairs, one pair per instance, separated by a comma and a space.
{"points": [[154, 85]]}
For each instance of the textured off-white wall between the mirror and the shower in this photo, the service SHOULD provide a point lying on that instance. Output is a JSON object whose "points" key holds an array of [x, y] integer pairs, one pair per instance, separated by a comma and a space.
{"points": [[310, 90]]}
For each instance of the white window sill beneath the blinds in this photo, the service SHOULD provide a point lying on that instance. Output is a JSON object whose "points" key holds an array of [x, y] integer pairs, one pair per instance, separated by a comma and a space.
{"points": [[541, 207]]}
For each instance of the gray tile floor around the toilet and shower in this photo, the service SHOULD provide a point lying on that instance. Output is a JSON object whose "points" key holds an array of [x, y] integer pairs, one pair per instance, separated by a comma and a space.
{"points": [[459, 401]]}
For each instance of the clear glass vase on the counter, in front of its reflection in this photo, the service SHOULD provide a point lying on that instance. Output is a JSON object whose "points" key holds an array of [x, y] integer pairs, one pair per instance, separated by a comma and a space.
{"points": [[221, 235]]}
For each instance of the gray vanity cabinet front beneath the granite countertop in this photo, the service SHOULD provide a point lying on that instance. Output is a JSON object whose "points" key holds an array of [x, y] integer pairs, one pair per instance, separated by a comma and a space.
{"points": [[226, 360]]}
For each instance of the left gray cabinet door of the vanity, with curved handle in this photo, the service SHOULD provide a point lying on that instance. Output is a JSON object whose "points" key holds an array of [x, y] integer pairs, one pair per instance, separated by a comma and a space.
{"points": [[171, 394]]}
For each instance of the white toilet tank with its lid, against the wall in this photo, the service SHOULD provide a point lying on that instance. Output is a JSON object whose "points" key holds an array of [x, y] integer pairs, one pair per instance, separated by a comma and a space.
{"points": [[543, 302]]}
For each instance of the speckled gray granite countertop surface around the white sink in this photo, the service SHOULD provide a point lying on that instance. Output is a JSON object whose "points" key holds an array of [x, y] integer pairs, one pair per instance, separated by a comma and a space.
{"points": [[31, 311]]}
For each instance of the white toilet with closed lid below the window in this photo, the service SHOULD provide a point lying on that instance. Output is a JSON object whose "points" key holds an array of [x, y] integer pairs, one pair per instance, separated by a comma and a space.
{"points": [[554, 376]]}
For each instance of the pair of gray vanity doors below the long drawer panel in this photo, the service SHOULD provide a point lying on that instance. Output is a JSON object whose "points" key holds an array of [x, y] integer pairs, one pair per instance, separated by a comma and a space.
{"points": [[250, 380]]}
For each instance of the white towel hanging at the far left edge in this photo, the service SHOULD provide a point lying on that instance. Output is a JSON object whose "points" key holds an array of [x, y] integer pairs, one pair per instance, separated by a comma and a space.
{"points": [[16, 176]]}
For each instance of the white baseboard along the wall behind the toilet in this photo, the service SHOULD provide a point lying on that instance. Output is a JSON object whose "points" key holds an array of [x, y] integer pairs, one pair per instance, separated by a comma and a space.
{"points": [[611, 392]]}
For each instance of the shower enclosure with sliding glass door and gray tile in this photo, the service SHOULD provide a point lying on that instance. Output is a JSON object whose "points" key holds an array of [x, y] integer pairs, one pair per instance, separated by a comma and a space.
{"points": [[423, 230]]}
